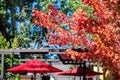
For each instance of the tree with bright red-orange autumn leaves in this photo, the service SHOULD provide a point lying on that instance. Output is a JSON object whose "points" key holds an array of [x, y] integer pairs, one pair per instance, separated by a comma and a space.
{"points": [[97, 30]]}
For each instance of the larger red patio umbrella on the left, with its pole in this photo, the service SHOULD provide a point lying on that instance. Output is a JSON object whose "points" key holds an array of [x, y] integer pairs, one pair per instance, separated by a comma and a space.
{"points": [[34, 66]]}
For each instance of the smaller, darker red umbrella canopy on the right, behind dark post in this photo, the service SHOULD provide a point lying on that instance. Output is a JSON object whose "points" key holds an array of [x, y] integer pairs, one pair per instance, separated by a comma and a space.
{"points": [[79, 71]]}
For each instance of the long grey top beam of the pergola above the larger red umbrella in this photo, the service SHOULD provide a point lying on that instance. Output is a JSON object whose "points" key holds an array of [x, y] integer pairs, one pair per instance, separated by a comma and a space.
{"points": [[31, 50]]}
